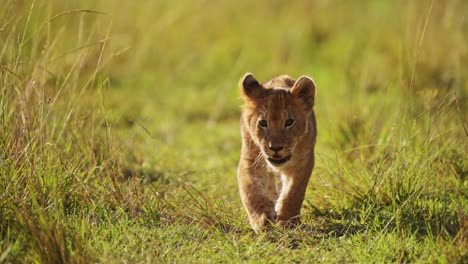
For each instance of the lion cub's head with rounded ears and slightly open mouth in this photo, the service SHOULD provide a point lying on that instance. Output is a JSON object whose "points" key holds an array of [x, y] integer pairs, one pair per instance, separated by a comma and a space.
{"points": [[277, 114]]}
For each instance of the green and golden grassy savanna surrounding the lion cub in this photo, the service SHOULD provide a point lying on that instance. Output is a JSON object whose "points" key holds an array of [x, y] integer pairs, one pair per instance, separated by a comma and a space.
{"points": [[119, 129]]}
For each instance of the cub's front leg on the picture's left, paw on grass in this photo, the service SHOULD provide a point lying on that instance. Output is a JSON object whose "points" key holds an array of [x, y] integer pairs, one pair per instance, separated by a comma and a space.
{"points": [[253, 183]]}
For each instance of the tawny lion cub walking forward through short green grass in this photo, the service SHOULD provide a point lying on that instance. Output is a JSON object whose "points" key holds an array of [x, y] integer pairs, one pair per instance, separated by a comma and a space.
{"points": [[279, 131]]}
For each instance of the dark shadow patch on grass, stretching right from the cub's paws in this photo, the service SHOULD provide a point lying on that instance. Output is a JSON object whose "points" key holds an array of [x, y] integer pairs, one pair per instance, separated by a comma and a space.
{"points": [[422, 217]]}
